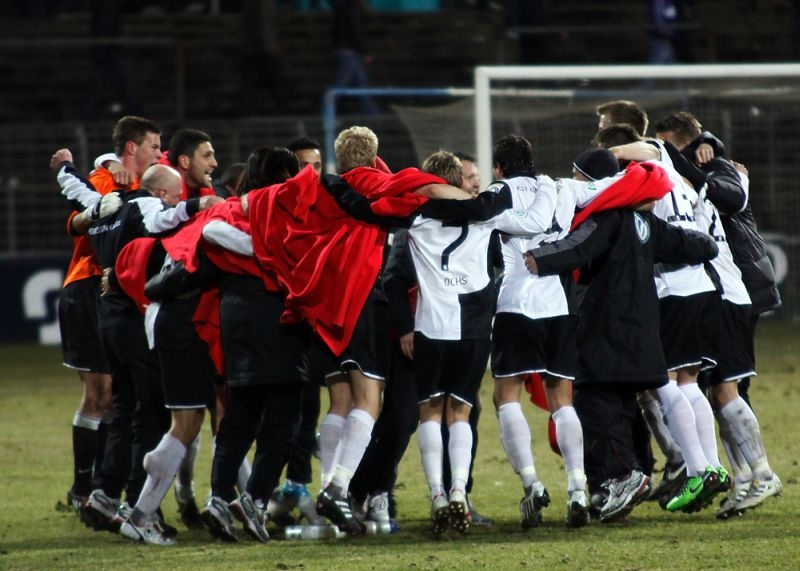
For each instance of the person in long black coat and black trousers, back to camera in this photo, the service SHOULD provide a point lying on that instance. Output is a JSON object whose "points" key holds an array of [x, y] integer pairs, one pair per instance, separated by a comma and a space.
{"points": [[618, 341]]}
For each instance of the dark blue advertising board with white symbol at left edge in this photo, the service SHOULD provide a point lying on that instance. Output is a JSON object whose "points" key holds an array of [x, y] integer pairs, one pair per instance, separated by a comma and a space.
{"points": [[29, 290]]}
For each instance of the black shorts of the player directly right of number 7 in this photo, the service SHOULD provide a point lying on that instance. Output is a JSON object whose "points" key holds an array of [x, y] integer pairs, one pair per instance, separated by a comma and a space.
{"points": [[521, 345]]}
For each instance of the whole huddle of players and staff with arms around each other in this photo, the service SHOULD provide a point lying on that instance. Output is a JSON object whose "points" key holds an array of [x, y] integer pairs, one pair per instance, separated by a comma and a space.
{"points": [[626, 297]]}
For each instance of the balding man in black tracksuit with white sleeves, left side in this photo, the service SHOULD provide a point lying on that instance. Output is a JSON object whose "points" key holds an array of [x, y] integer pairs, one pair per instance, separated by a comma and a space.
{"points": [[140, 417]]}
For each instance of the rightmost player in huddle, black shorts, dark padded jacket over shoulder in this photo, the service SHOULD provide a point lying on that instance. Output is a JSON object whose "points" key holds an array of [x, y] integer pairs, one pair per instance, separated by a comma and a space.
{"points": [[754, 480]]}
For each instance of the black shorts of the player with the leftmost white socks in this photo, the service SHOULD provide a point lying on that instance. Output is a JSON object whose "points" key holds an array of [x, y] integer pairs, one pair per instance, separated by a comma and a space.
{"points": [[188, 374]]}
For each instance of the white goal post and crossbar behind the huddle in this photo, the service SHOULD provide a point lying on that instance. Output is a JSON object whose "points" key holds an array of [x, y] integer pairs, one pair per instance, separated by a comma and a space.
{"points": [[543, 76]]}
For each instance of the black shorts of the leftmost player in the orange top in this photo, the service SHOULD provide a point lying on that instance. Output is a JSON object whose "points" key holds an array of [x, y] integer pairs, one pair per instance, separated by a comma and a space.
{"points": [[77, 319]]}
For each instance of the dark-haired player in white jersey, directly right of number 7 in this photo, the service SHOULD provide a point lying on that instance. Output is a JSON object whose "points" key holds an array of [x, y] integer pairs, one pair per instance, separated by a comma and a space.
{"points": [[534, 332]]}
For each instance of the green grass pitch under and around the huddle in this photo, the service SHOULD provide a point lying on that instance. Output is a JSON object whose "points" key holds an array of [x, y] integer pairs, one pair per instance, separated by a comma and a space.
{"points": [[38, 398]]}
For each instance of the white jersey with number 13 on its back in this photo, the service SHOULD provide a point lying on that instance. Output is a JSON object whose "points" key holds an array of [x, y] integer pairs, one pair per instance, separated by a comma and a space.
{"points": [[677, 208]]}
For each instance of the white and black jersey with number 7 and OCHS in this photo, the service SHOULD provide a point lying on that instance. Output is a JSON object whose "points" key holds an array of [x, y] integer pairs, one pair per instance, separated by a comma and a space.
{"points": [[456, 293]]}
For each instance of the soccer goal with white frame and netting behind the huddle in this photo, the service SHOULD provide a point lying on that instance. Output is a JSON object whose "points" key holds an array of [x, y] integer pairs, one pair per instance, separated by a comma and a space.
{"points": [[753, 109]]}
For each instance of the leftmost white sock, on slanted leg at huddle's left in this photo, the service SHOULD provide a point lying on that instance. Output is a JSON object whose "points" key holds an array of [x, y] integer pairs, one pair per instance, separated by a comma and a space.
{"points": [[162, 465]]}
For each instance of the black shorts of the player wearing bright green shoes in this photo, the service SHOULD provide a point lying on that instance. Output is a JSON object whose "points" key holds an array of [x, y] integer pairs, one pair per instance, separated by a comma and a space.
{"points": [[690, 329]]}
